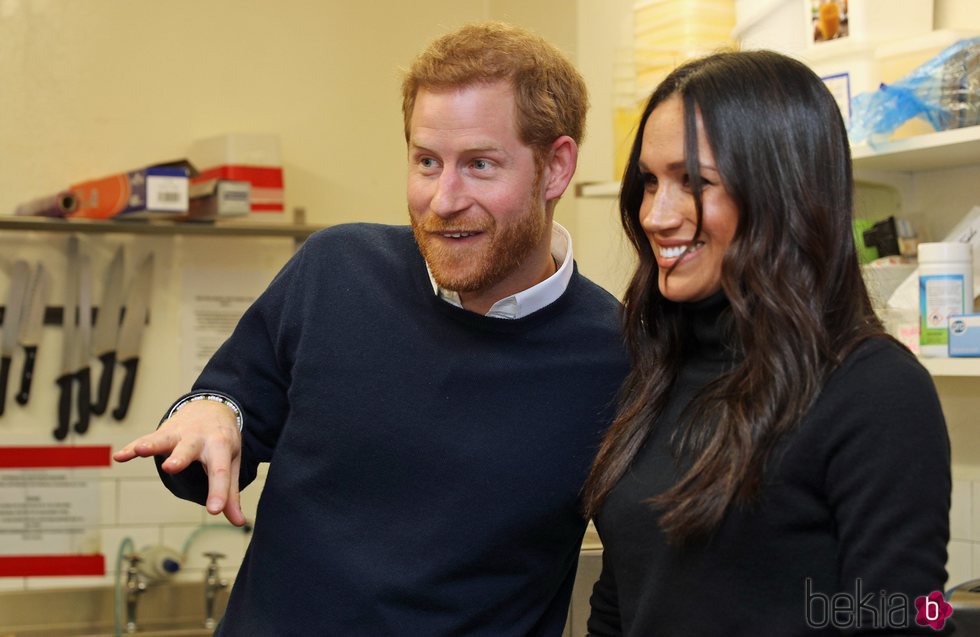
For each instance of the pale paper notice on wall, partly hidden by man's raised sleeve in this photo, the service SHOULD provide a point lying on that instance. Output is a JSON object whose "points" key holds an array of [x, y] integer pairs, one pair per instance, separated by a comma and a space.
{"points": [[213, 300]]}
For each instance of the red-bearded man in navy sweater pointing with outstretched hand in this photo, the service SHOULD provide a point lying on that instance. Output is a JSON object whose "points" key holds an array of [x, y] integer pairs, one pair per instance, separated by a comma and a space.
{"points": [[430, 399]]}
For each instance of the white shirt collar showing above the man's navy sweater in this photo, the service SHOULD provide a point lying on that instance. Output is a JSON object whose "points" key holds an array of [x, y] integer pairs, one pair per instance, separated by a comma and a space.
{"points": [[535, 297]]}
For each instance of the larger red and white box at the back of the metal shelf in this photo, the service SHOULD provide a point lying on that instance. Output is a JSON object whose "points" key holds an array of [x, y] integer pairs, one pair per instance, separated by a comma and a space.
{"points": [[251, 157]]}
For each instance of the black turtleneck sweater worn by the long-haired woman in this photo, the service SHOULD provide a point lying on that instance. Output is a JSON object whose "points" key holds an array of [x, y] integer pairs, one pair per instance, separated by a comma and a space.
{"points": [[857, 495]]}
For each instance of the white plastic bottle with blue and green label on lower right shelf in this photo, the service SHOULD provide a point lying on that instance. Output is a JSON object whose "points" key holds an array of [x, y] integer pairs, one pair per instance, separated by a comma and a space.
{"points": [[945, 288]]}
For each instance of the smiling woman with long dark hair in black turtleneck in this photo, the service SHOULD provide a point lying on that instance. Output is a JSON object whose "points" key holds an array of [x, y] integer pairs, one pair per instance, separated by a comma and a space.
{"points": [[779, 465]]}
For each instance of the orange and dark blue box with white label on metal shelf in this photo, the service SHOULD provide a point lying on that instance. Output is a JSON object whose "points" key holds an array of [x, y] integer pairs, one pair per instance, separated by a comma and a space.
{"points": [[157, 191]]}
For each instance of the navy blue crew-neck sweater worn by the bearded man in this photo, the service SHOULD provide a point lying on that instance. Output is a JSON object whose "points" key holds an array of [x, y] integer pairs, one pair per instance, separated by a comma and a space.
{"points": [[426, 461]]}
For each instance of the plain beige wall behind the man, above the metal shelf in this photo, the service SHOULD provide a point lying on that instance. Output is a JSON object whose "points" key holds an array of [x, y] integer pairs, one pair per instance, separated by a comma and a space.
{"points": [[93, 87]]}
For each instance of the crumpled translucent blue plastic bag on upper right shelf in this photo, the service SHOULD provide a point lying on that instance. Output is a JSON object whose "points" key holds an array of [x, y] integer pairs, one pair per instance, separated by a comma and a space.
{"points": [[945, 92]]}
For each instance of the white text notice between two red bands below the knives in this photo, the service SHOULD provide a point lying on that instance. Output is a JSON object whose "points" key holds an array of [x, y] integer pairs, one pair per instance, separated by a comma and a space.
{"points": [[49, 511]]}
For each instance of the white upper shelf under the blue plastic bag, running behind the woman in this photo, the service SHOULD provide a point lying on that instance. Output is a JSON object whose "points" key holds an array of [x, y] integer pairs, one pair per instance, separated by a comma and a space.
{"points": [[935, 151]]}
